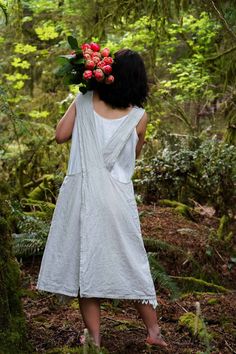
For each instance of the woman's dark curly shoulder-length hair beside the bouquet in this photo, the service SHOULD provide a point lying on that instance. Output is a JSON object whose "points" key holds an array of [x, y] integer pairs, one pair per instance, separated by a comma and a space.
{"points": [[130, 85]]}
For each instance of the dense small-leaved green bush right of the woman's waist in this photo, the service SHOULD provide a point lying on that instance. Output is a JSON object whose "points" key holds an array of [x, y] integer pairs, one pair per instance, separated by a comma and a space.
{"points": [[205, 173]]}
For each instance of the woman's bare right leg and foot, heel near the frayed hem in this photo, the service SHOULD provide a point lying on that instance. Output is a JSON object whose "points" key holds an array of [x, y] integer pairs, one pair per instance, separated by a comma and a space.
{"points": [[149, 317]]}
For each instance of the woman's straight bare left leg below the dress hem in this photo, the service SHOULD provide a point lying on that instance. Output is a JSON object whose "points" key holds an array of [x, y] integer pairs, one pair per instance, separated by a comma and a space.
{"points": [[90, 311]]}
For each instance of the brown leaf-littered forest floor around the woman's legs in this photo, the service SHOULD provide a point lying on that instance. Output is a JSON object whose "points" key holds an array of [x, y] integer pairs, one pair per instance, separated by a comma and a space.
{"points": [[52, 325]]}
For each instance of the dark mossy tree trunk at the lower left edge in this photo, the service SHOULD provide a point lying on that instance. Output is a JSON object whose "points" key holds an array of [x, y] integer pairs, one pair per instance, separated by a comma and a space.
{"points": [[12, 321]]}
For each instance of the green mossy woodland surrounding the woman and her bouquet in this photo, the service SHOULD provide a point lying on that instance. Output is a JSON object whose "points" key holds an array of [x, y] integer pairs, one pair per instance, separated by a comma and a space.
{"points": [[184, 180]]}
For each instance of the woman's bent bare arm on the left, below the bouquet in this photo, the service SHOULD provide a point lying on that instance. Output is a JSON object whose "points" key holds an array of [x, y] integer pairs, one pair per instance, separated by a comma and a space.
{"points": [[65, 126]]}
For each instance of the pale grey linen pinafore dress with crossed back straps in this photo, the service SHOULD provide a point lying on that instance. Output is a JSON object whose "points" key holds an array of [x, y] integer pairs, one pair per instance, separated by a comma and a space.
{"points": [[94, 246]]}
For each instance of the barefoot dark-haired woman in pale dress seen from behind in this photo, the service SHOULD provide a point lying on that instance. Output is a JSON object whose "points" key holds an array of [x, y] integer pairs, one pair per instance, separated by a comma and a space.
{"points": [[95, 248]]}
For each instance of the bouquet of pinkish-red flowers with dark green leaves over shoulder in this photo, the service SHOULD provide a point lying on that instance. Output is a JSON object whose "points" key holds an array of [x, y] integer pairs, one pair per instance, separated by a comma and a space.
{"points": [[86, 63]]}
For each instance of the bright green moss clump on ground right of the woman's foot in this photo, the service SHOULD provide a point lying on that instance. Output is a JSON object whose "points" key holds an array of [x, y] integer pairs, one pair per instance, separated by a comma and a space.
{"points": [[195, 326]]}
